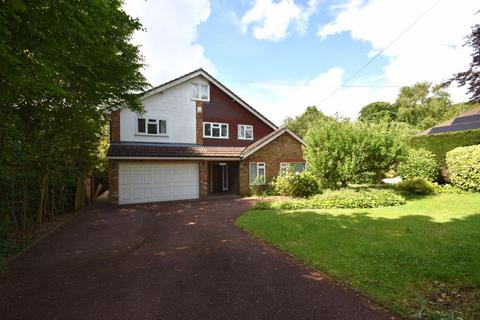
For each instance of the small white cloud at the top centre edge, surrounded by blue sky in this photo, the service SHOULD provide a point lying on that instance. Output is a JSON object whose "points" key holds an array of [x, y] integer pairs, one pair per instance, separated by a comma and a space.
{"points": [[272, 20]]}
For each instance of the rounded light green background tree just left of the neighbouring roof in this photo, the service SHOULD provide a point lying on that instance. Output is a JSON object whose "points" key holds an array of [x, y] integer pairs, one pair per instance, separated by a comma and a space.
{"points": [[423, 105]]}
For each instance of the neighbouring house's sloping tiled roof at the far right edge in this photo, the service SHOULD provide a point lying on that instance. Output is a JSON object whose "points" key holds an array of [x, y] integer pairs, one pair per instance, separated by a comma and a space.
{"points": [[468, 120]]}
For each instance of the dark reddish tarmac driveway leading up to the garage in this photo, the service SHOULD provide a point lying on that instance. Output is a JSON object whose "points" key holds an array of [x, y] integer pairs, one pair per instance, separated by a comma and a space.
{"points": [[184, 260]]}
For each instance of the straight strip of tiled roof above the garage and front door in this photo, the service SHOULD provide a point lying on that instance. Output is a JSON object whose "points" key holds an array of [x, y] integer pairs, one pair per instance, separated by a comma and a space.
{"points": [[138, 149]]}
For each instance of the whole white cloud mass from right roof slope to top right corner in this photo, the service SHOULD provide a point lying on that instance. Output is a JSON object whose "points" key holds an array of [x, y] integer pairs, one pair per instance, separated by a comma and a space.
{"points": [[432, 51]]}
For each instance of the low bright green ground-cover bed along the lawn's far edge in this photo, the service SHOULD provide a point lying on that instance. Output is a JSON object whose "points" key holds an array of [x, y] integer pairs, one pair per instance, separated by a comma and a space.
{"points": [[344, 198]]}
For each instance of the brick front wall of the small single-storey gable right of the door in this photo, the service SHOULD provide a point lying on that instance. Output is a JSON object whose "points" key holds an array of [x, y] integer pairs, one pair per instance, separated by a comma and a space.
{"points": [[283, 149]]}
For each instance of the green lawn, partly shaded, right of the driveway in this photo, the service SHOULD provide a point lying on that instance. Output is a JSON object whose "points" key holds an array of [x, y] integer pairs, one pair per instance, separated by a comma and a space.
{"points": [[420, 260]]}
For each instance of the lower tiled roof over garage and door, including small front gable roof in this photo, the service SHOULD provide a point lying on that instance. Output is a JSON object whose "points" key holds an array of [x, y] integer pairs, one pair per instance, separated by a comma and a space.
{"points": [[136, 150]]}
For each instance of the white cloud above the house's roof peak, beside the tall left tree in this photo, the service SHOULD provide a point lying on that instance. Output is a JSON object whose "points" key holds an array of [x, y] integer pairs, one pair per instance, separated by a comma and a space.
{"points": [[168, 42]]}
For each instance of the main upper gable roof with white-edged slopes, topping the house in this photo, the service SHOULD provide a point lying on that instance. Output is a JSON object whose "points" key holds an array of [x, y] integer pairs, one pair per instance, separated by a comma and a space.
{"points": [[206, 75]]}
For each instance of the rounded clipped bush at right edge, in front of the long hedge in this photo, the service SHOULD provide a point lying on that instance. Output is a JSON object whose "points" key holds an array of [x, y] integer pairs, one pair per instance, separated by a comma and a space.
{"points": [[464, 167]]}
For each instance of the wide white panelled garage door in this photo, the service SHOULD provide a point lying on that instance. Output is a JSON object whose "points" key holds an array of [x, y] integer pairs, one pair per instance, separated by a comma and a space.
{"points": [[158, 182]]}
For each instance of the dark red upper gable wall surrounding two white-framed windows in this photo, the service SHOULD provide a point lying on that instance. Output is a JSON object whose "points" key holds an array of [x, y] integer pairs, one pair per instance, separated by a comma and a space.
{"points": [[222, 108]]}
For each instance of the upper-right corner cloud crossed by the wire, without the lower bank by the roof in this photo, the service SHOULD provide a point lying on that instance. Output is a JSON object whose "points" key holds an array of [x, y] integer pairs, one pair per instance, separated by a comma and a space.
{"points": [[432, 50]]}
